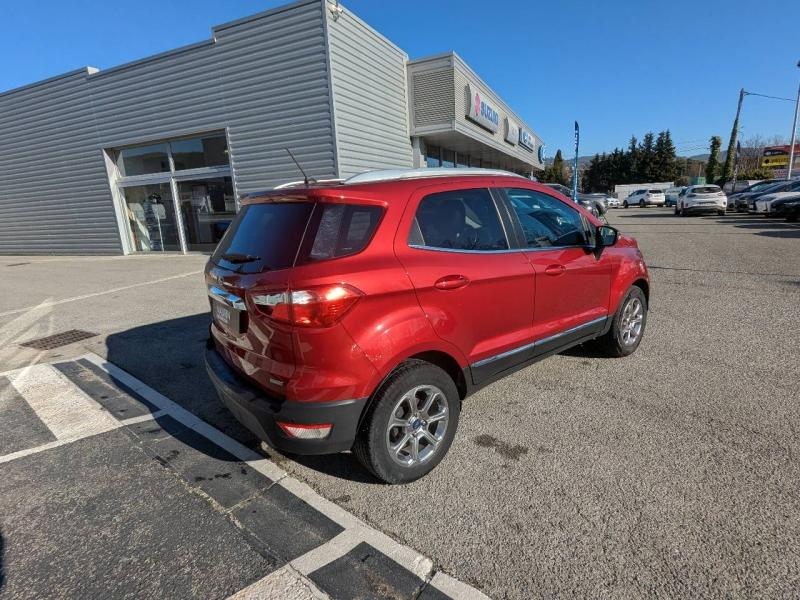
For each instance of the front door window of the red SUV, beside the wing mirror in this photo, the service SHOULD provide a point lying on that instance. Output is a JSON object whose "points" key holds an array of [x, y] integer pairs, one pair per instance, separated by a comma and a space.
{"points": [[546, 221]]}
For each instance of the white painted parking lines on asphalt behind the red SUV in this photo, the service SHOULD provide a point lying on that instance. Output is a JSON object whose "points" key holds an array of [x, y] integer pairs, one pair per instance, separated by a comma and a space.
{"points": [[71, 414]]}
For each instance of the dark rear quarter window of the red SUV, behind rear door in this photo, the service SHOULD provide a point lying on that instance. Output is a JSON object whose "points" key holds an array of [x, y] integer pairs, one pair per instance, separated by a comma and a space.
{"points": [[344, 229]]}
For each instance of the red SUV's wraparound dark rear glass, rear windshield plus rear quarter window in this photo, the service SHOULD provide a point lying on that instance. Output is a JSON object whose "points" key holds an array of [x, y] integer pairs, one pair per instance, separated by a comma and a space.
{"points": [[268, 237]]}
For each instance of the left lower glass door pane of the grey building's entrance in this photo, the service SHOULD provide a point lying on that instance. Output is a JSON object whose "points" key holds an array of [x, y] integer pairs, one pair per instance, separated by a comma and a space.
{"points": [[151, 216]]}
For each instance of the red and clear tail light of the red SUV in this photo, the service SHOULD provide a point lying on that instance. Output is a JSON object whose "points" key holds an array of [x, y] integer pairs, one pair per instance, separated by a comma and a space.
{"points": [[319, 306]]}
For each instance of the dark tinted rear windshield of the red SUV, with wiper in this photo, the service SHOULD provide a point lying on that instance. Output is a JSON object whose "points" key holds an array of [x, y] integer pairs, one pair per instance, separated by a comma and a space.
{"points": [[269, 234]]}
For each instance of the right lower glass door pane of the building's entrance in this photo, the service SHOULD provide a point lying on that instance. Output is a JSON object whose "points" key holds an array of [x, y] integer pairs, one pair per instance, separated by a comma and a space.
{"points": [[207, 206]]}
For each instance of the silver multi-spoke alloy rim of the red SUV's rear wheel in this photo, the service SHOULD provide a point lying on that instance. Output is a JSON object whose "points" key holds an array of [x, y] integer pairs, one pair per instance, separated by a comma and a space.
{"points": [[417, 425]]}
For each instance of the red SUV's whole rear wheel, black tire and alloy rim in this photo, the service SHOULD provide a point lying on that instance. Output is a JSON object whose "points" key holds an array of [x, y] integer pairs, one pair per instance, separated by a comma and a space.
{"points": [[402, 399]]}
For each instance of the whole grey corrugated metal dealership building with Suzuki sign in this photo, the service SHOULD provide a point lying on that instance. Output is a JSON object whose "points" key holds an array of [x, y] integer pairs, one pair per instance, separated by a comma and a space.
{"points": [[152, 155]]}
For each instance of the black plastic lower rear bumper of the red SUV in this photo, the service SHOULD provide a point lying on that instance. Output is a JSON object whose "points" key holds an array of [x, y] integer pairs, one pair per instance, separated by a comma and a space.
{"points": [[259, 412]]}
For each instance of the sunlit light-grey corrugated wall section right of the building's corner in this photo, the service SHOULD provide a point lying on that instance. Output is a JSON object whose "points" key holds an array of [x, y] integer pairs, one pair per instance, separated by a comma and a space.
{"points": [[368, 79]]}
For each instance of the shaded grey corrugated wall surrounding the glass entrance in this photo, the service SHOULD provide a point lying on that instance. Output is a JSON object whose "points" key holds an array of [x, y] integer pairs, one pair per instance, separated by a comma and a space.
{"points": [[265, 79]]}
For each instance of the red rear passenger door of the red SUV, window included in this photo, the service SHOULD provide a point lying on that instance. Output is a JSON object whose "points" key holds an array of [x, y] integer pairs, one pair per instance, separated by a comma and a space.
{"points": [[476, 290]]}
